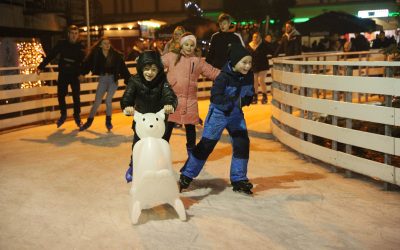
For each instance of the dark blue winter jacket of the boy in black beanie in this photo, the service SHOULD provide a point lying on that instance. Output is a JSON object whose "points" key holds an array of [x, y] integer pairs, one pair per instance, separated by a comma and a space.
{"points": [[232, 89]]}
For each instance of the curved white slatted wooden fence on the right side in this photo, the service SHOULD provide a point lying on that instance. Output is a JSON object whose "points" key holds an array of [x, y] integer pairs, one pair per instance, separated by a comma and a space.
{"points": [[324, 104]]}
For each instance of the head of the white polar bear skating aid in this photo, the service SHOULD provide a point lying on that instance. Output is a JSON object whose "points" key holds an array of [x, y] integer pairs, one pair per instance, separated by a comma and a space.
{"points": [[150, 124]]}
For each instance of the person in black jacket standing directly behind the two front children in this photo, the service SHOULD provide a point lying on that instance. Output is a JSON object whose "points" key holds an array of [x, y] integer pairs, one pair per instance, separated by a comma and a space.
{"points": [[220, 41]]}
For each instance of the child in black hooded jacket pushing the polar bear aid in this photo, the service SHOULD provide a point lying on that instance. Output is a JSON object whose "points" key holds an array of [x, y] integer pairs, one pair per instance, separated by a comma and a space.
{"points": [[147, 92]]}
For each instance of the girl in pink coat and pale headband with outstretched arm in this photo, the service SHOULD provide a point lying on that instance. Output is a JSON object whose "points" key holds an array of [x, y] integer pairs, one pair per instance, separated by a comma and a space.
{"points": [[183, 72]]}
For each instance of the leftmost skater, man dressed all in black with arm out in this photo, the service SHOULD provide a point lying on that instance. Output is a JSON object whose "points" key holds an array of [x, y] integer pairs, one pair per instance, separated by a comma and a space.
{"points": [[71, 54]]}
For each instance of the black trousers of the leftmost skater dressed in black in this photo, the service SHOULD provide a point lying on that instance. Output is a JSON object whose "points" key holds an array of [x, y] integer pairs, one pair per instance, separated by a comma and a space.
{"points": [[62, 90]]}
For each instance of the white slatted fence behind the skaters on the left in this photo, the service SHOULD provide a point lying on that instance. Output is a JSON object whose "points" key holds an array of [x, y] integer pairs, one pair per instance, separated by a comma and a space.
{"points": [[22, 106]]}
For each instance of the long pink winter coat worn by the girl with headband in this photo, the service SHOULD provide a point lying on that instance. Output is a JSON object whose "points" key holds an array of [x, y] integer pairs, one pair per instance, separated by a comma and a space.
{"points": [[183, 78]]}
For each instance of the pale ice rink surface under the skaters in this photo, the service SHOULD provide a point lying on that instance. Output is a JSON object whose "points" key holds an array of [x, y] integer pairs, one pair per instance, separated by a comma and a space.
{"points": [[65, 189]]}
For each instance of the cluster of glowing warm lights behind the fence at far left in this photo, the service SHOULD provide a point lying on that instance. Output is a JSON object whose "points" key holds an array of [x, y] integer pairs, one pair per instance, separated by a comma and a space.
{"points": [[30, 55]]}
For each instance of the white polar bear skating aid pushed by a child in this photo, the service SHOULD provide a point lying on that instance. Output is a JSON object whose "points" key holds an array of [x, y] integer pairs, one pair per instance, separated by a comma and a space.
{"points": [[154, 179]]}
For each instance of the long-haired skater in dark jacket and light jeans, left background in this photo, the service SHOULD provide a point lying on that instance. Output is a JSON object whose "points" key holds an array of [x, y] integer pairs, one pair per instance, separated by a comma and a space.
{"points": [[104, 61]]}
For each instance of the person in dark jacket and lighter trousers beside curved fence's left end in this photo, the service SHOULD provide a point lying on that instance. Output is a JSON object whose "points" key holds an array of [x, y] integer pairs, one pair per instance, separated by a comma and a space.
{"points": [[259, 51]]}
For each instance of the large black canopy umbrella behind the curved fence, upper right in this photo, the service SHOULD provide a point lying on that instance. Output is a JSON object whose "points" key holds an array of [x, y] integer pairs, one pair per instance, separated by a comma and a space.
{"points": [[337, 23]]}
